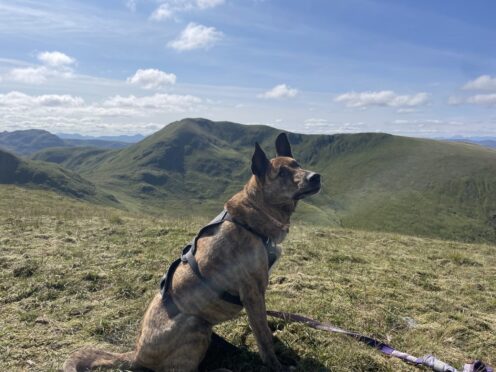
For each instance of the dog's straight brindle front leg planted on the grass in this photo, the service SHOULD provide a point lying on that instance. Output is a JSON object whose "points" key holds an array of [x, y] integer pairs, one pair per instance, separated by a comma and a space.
{"points": [[254, 304]]}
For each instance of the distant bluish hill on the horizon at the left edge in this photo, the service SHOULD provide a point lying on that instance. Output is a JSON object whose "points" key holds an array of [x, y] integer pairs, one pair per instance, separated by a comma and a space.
{"points": [[28, 142]]}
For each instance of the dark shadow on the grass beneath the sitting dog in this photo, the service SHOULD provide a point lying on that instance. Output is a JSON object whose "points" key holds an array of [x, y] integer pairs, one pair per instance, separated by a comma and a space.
{"points": [[223, 354]]}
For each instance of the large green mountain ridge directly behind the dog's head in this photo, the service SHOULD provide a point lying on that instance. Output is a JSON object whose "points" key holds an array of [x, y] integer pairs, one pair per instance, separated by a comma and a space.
{"points": [[372, 181]]}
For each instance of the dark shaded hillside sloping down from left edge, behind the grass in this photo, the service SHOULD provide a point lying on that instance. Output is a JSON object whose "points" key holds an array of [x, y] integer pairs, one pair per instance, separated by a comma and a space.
{"points": [[36, 174]]}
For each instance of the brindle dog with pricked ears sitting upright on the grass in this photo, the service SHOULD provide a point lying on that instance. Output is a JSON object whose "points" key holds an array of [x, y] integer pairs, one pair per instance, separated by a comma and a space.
{"points": [[233, 257]]}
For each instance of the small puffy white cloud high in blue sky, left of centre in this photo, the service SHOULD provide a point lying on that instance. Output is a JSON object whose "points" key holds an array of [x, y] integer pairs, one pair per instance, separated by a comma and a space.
{"points": [[196, 36]]}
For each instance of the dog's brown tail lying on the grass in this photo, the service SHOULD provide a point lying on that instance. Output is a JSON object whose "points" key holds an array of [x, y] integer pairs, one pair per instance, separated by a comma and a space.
{"points": [[88, 358]]}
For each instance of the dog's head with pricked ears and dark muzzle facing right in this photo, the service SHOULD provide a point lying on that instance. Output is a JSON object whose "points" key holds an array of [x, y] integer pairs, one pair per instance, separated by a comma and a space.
{"points": [[282, 179]]}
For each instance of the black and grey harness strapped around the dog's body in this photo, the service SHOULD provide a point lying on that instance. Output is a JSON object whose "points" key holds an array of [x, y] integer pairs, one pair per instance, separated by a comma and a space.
{"points": [[188, 256]]}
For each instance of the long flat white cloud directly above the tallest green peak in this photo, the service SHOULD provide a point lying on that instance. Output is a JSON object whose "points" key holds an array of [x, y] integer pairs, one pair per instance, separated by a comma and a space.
{"points": [[159, 101]]}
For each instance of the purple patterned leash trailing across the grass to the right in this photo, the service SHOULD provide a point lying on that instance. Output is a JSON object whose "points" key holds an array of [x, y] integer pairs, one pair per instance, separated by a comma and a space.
{"points": [[427, 361]]}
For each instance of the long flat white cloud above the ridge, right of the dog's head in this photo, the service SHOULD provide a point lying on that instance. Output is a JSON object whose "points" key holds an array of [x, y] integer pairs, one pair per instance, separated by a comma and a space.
{"points": [[382, 98]]}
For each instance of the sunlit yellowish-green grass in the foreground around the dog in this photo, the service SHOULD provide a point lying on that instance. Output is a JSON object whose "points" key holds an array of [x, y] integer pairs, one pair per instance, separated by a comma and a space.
{"points": [[74, 274]]}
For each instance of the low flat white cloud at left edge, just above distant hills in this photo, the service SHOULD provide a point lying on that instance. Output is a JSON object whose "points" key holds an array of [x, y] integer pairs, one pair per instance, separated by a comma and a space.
{"points": [[17, 99]]}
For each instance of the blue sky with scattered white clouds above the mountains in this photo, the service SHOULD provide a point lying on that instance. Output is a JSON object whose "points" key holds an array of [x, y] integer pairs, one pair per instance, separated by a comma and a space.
{"points": [[98, 67]]}
